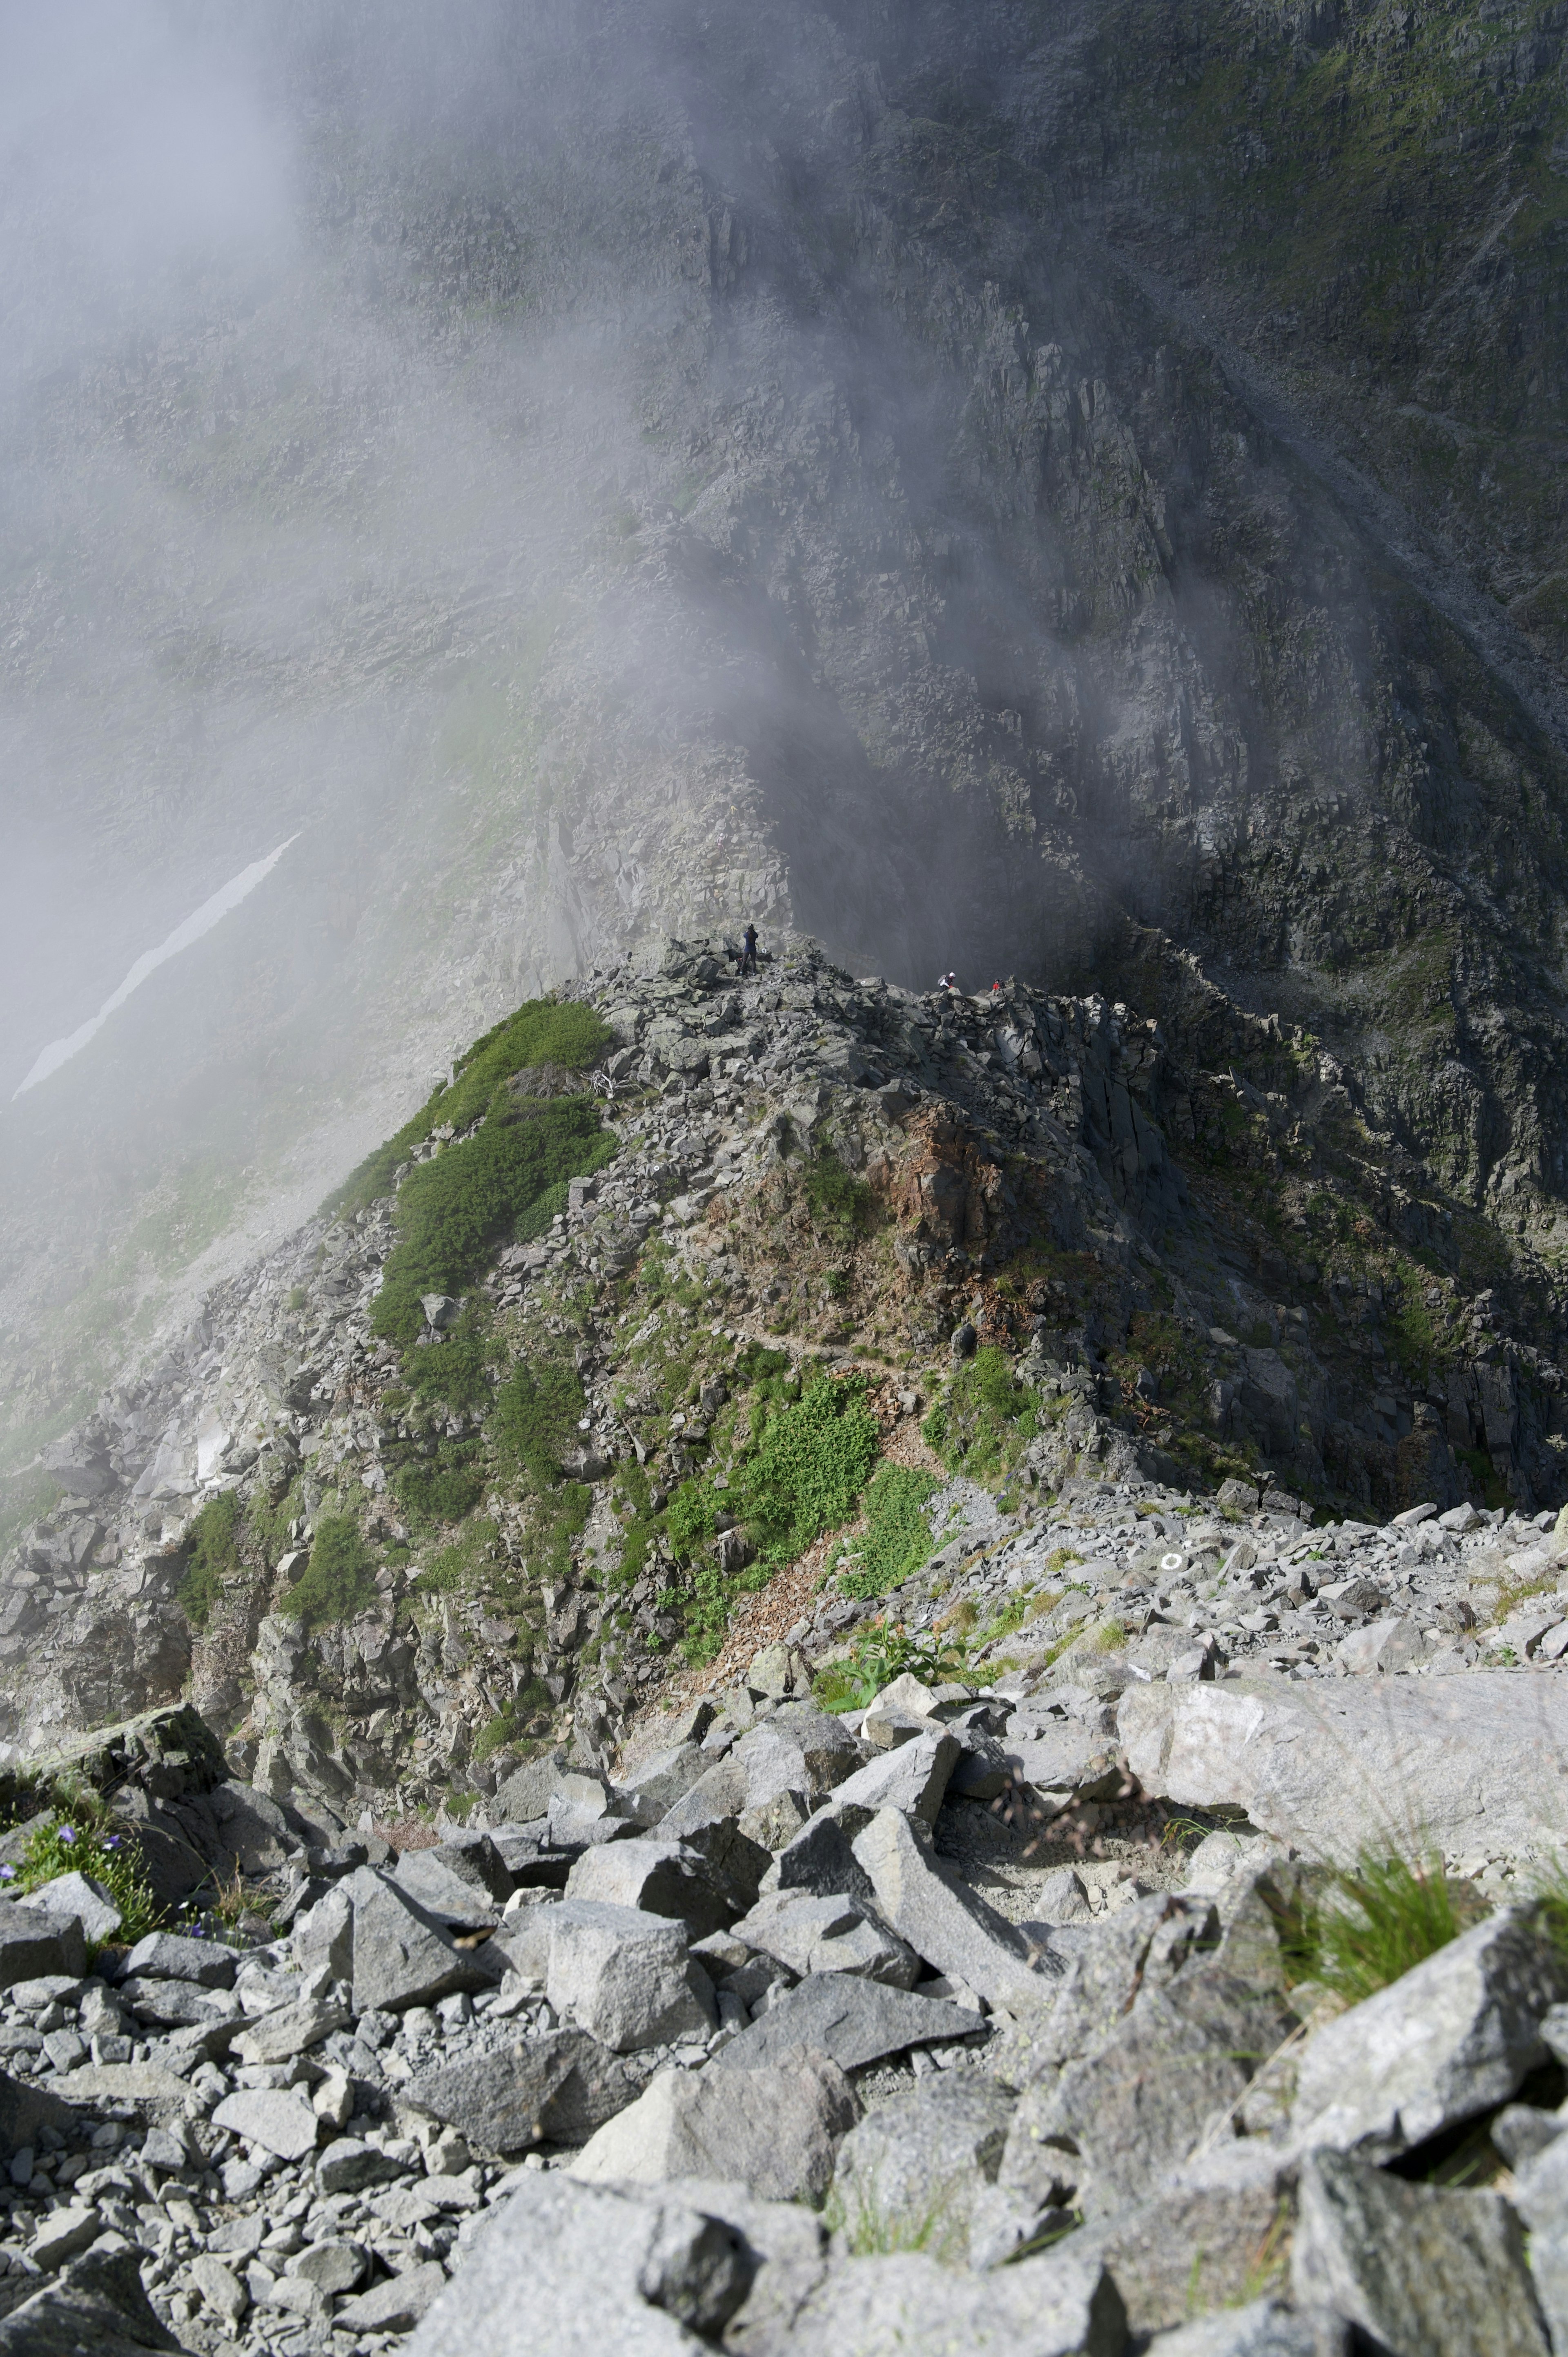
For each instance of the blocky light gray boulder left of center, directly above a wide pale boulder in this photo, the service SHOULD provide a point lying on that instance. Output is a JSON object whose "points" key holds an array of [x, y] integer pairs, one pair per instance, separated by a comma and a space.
{"points": [[626, 1976]]}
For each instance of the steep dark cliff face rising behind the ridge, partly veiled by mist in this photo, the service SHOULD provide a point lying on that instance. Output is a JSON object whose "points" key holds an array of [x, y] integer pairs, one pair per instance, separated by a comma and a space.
{"points": [[881, 470]]}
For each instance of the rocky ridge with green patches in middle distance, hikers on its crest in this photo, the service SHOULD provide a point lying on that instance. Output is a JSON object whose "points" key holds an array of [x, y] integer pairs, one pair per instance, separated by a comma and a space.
{"points": [[1032, 1246]]}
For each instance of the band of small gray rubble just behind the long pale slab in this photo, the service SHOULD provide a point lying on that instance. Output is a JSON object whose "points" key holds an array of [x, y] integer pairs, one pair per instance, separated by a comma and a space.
{"points": [[1168, 1587]]}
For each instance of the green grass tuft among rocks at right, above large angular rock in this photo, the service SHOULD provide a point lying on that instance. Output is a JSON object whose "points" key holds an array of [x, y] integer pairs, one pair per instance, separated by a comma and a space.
{"points": [[1369, 1924]]}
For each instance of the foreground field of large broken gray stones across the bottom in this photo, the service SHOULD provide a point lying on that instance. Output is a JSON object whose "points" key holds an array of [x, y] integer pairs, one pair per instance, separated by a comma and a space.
{"points": [[763, 2049]]}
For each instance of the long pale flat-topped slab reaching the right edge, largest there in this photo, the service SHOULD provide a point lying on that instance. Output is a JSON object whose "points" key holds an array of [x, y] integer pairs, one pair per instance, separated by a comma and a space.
{"points": [[1473, 1764]]}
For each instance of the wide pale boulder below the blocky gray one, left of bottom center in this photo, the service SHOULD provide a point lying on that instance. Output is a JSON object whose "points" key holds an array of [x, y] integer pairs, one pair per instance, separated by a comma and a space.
{"points": [[775, 2130]]}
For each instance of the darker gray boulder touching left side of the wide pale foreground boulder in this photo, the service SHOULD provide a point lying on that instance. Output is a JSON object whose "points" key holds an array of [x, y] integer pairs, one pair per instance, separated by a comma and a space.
{"points": [[555, 2089]]}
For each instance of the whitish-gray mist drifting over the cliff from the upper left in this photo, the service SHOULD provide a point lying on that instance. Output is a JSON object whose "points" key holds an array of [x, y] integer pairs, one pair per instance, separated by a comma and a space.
{"points": [[574, 473]]}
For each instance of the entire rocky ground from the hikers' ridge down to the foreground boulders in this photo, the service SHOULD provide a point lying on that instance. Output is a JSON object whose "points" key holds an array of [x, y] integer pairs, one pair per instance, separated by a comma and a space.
{"points": [[782, 1764]]}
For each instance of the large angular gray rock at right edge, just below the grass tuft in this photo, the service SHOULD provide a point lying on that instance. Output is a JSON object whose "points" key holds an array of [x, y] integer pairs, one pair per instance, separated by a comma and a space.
{"points": [[1449, 2040]]}
